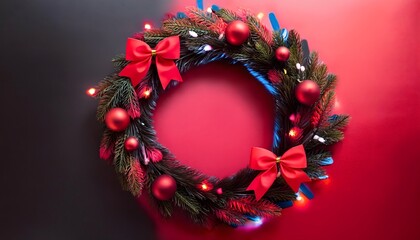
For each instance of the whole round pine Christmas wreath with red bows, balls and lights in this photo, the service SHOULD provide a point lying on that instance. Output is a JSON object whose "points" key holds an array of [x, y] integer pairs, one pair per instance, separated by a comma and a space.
{"points": [[302, 89]]}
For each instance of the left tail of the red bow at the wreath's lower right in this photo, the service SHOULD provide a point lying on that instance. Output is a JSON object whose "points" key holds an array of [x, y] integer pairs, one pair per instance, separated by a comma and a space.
{"points": [[263, 182]]}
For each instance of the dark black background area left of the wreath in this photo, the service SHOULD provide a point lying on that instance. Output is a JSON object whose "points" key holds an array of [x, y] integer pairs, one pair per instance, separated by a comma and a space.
{"points": [[53, 184]]}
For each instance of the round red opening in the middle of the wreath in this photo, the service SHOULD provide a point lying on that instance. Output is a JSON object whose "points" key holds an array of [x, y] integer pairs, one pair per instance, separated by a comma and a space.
{"points": [[211, 120]]}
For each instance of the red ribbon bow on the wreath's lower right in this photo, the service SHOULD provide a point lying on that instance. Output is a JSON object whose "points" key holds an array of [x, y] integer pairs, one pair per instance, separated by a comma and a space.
{"points": [[291, 164]]}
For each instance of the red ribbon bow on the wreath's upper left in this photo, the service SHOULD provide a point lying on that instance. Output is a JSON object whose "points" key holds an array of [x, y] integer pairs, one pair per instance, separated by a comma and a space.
{"points": [[140, 56]]}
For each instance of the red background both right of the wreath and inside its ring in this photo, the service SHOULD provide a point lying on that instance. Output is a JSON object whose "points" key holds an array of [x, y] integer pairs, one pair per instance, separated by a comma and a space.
{"points": [[213, 118]]}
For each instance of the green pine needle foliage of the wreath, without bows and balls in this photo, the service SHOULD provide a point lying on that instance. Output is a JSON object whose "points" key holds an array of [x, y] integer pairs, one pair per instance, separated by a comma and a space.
{"points": [[257, 53]]}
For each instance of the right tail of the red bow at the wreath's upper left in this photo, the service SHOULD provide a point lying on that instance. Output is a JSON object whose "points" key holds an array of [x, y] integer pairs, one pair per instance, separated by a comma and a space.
{"points": [[167, 71]]}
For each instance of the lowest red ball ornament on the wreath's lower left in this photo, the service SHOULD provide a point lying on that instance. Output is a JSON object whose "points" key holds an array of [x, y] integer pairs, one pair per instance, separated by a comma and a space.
{"points": [[164, 187]]}
